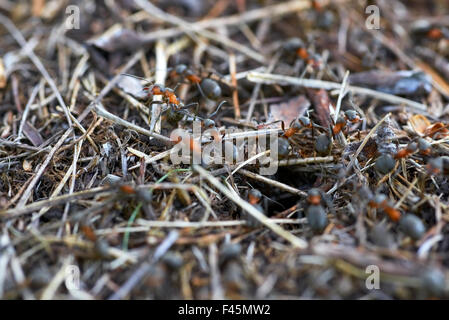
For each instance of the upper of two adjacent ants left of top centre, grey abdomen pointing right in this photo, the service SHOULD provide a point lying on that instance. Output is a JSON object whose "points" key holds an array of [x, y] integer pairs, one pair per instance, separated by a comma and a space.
{"points": [[207, 87]]}
